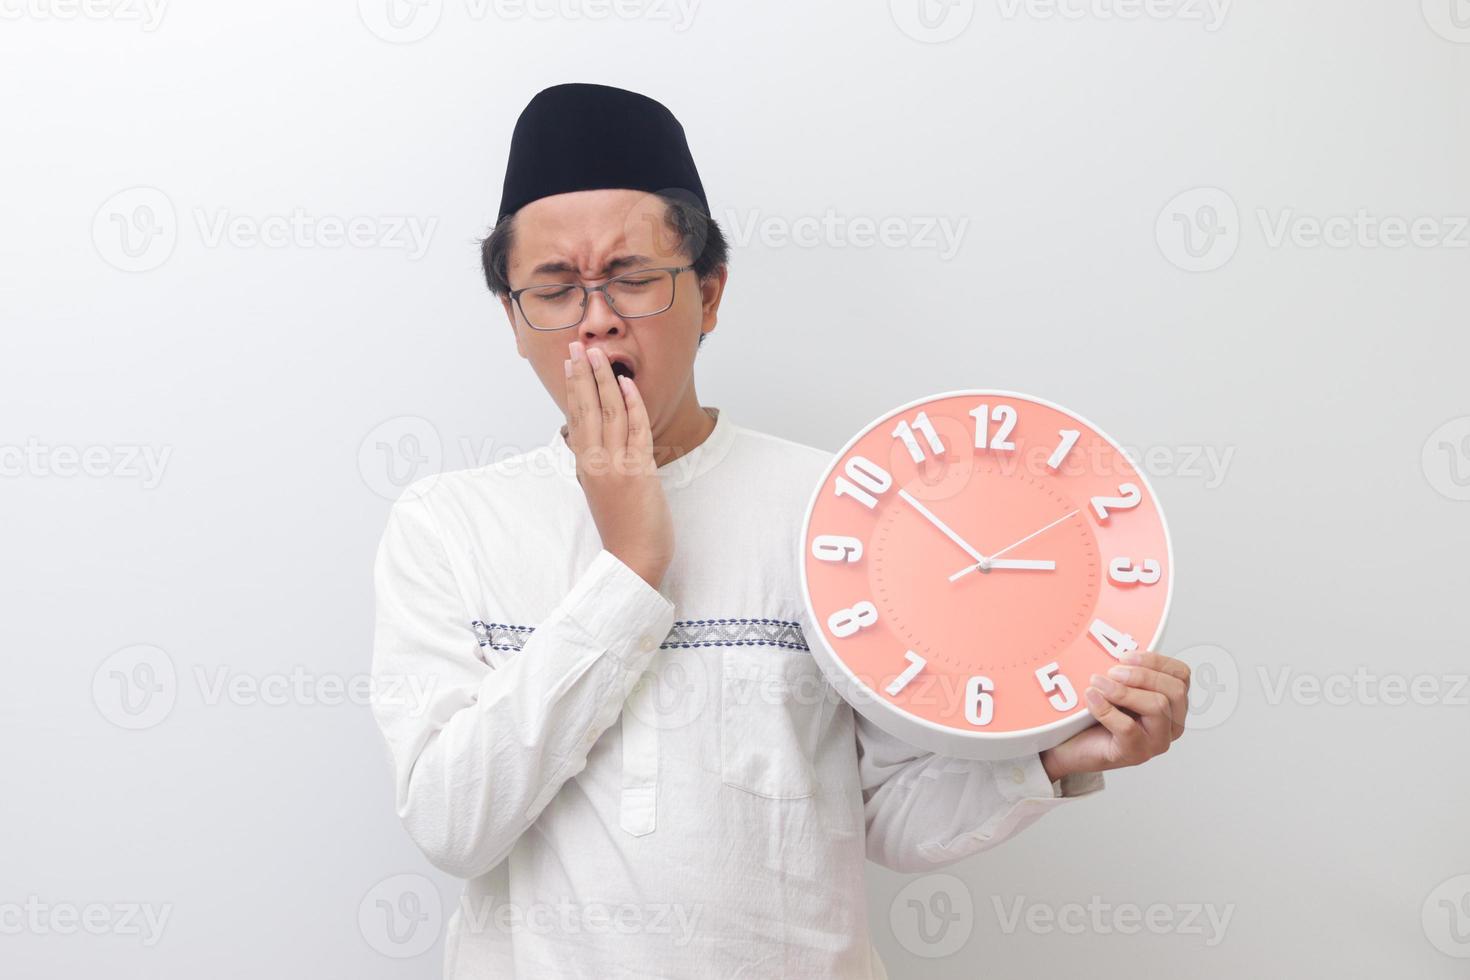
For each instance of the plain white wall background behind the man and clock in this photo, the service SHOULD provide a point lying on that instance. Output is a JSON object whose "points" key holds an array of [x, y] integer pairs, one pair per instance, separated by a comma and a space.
{"points": [[1074, 145]]}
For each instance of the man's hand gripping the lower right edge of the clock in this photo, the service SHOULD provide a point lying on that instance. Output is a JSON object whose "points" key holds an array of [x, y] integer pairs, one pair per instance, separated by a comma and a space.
{"points": [[1141, 709]]}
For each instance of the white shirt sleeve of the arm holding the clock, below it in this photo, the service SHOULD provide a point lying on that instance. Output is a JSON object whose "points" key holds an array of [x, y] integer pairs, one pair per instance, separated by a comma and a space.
{"points": [[924, 812]]}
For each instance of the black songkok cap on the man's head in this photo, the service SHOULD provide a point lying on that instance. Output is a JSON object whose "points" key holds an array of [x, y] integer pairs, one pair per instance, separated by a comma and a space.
{"points": [[581, 137]]}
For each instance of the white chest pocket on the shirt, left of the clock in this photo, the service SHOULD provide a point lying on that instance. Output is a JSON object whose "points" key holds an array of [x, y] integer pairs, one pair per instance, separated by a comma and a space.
{"points": [[771, 721]]}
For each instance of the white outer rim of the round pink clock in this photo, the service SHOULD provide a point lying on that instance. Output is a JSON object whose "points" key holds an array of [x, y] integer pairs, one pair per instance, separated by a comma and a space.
{"points": [[921, 732]]}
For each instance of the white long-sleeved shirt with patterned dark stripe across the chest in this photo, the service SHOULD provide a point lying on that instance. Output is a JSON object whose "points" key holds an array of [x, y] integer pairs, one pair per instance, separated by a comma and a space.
{"points": [[709, 822]]}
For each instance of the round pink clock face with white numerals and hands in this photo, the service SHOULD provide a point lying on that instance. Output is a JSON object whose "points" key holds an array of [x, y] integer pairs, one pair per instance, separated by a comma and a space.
{"points": [[974, 558]]}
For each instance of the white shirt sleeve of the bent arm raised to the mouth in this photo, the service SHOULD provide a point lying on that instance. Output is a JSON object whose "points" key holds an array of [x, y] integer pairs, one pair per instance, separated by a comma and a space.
{"points": [[478, 752]]}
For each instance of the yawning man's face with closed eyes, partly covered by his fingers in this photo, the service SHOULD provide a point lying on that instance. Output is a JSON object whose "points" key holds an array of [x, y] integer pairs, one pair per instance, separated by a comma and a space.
{"points": [[589, 237]]}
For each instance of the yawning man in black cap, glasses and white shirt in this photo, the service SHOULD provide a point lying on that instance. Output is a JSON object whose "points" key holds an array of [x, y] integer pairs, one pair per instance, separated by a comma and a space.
{"points": [[712, 821]]}
